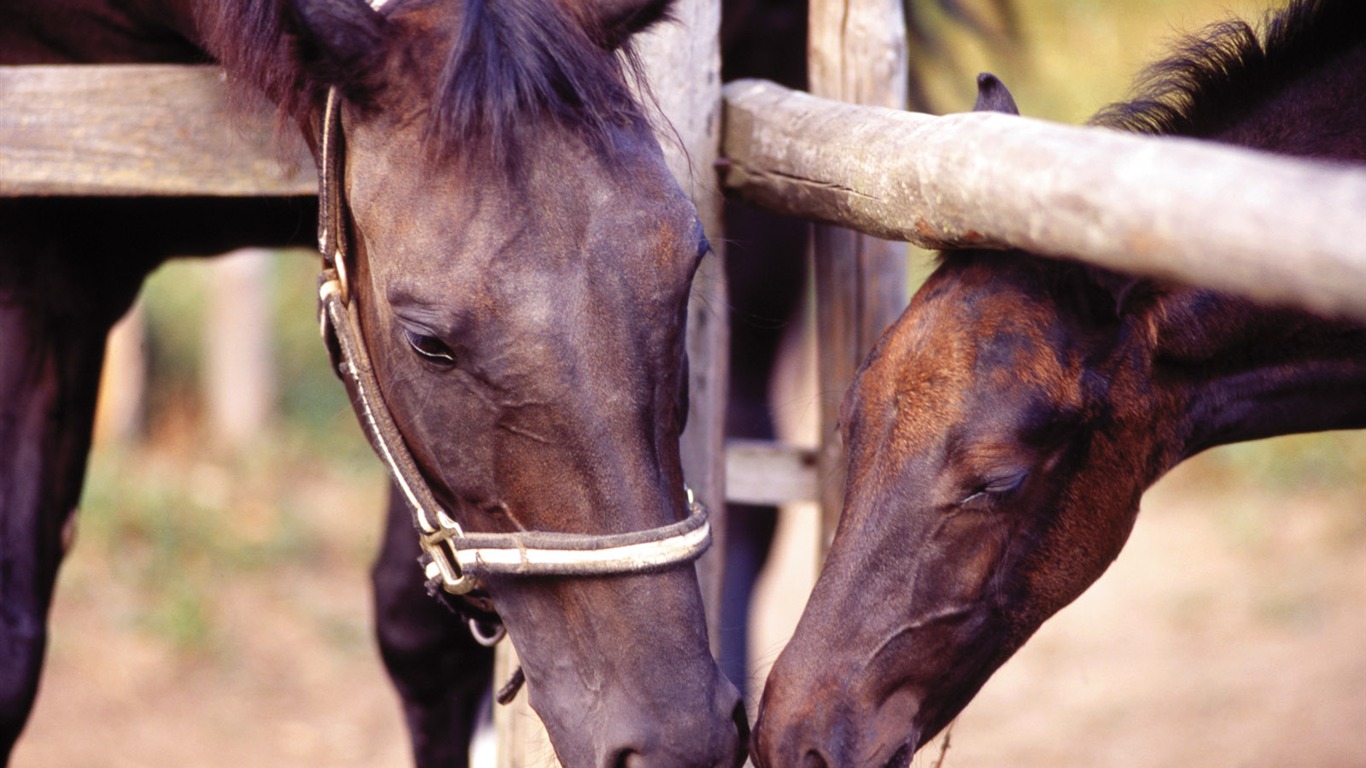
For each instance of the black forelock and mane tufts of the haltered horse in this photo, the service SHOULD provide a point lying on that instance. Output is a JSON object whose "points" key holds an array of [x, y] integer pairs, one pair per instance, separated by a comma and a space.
{"points": [[513, 64]]}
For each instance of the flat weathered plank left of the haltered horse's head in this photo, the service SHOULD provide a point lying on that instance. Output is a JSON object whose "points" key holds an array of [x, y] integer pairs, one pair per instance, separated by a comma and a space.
{"points": [[133, 131]]}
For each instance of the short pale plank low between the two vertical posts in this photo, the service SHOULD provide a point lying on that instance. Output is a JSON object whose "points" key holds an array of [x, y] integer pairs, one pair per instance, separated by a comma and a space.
{"points": [[767, 474]]}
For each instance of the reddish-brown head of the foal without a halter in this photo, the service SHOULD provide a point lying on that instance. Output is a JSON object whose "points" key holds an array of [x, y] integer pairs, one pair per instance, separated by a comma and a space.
{"points": [[999, 439]]}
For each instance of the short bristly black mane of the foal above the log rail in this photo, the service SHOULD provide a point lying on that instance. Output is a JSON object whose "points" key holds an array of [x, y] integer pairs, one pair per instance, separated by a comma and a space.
{"points": [[1212, 79]]}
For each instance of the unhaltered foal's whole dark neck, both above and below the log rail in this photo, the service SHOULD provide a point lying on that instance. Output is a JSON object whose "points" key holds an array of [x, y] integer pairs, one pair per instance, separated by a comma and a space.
{"points": [[1237, 371]]}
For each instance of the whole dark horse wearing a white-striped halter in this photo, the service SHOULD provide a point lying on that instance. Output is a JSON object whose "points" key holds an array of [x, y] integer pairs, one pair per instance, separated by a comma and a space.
{"points": [[509, 264]]}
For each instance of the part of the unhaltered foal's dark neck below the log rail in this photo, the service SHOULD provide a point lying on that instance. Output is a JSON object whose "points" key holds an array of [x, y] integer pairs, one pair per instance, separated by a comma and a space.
{"points": [[1234, 371]]}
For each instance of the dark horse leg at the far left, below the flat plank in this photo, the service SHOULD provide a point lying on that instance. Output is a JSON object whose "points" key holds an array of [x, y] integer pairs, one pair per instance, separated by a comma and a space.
{"points": [[55, 315]]}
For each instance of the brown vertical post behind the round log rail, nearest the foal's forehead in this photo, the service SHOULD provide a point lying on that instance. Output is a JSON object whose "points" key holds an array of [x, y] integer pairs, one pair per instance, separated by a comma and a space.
{"points": [[856, 53]]}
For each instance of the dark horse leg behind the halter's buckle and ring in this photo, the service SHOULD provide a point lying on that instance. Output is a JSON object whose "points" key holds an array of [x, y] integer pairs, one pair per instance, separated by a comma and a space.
{"points": [[439, 670]]}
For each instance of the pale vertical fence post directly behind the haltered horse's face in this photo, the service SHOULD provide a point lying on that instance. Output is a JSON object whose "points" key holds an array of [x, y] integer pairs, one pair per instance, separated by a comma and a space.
{"points": [[684, 66]]}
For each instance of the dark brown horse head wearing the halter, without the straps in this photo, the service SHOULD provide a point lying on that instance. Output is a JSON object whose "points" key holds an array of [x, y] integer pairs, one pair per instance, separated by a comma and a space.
{"points": [[520, 259]]}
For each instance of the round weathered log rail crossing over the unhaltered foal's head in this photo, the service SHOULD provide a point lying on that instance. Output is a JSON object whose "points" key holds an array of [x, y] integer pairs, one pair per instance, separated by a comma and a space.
{"points": [[1274, 229]]}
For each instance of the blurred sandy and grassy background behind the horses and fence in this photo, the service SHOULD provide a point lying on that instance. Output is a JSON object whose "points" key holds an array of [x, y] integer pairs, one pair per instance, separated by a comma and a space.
{"points": [[215, 610]]}
